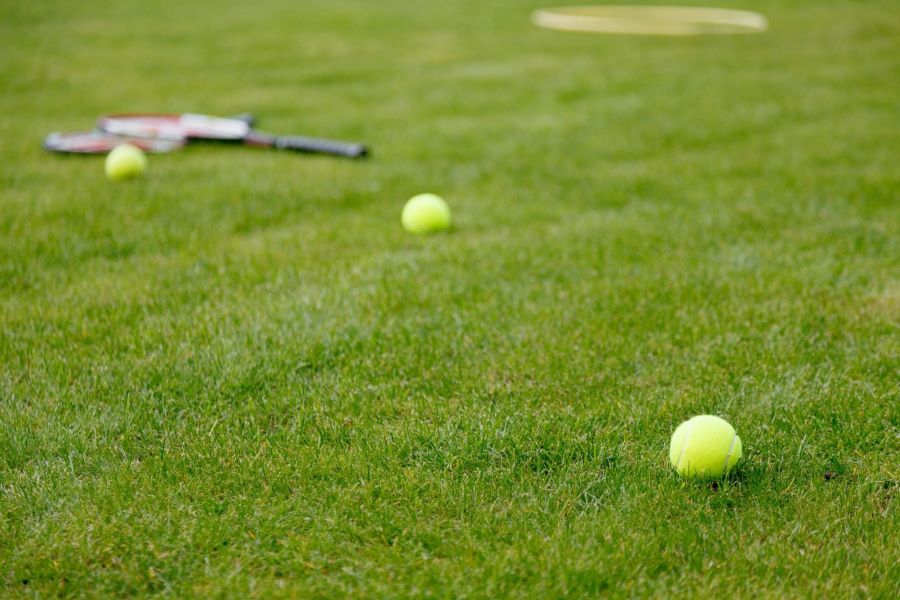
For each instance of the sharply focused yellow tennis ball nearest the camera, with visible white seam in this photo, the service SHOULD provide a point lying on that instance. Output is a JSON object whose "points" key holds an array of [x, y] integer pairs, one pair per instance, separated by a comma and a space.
{"points": [[704, 447]]}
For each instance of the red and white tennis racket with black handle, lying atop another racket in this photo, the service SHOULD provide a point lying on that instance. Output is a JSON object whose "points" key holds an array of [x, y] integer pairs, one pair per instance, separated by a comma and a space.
{"points": [[189, 127]]}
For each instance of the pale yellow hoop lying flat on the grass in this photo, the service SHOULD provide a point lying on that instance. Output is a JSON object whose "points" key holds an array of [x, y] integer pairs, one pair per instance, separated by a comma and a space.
{"points": [[651, 20]]}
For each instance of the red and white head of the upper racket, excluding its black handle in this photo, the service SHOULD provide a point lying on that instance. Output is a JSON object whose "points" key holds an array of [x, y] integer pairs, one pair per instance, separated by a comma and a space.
{"points": [[175, 127]]}
